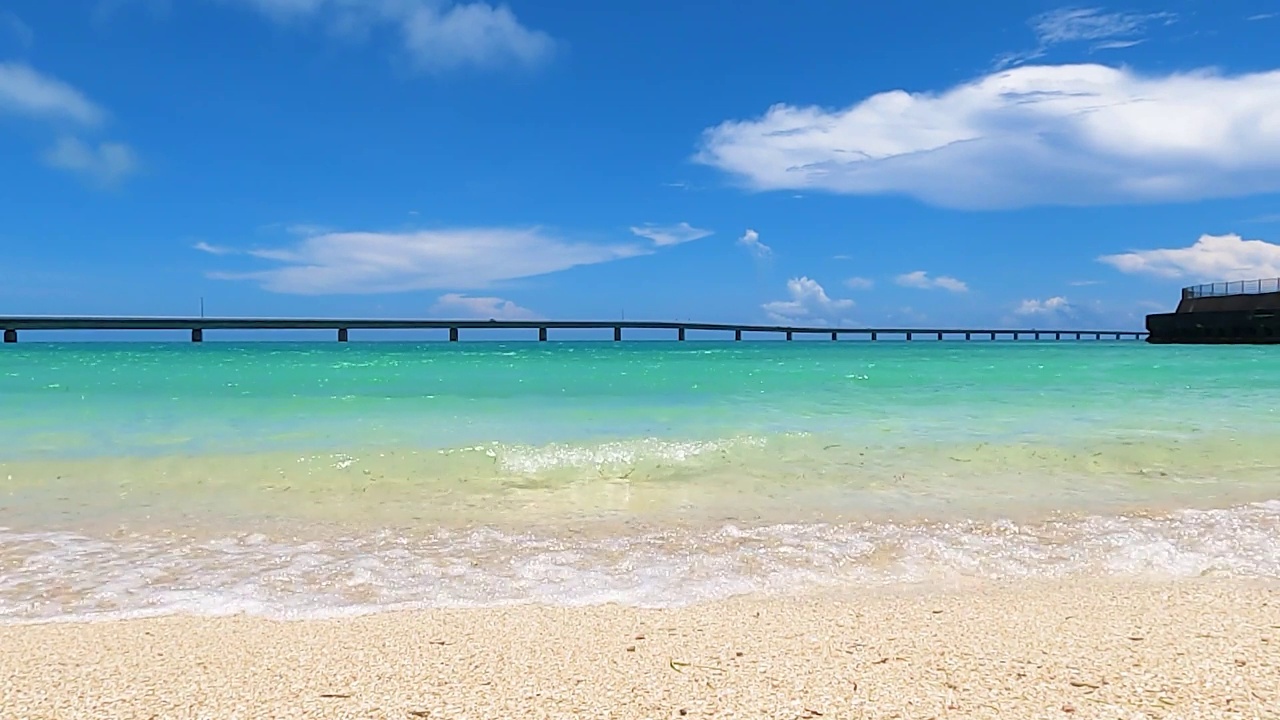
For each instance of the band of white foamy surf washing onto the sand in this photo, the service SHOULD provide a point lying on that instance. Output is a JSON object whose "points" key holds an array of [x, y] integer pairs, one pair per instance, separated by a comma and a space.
{"points": [[53, 577]]}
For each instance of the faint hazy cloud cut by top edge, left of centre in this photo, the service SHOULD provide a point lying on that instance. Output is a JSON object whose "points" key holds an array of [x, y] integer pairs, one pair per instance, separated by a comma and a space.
{"points": [[438, 35]]}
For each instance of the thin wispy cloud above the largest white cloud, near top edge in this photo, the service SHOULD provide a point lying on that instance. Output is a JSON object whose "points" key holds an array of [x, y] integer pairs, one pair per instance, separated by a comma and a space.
{"points": [[1107, 31]]}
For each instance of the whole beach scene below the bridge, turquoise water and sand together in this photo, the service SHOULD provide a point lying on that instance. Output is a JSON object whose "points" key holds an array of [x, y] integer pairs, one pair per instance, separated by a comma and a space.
{"points": [[639, 530]]}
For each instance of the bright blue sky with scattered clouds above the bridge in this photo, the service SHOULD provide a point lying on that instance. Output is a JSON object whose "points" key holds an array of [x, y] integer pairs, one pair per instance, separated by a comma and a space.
{"points": [[821, 163]]}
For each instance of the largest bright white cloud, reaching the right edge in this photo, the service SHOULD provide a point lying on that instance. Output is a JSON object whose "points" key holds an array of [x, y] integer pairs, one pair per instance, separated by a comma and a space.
{"points": [[1044, 135]]}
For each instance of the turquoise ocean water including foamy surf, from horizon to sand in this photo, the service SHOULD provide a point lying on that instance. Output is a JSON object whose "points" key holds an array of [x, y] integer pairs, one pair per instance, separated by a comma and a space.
{"points": [[322, 480]]}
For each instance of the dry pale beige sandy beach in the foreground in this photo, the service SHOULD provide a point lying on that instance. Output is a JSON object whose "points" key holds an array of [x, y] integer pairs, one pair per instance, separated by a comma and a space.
{"points": [[1043, 649]]}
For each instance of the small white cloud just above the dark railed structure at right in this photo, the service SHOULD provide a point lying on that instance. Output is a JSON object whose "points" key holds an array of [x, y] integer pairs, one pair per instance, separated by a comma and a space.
{"points": [[1209, 259]]}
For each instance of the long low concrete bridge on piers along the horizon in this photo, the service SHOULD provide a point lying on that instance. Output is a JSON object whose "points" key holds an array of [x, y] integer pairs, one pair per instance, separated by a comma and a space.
{"points": [[198, 326]]}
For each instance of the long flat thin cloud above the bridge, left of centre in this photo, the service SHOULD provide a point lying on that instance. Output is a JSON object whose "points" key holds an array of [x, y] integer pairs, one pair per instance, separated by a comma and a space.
{"points": [[446, 259]]}
